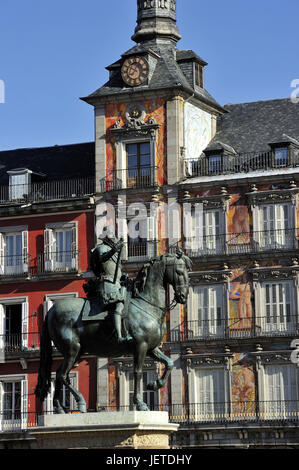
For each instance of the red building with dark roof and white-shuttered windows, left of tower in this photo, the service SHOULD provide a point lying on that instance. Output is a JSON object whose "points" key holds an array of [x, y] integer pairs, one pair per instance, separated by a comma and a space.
{"points": [[46, 233]]}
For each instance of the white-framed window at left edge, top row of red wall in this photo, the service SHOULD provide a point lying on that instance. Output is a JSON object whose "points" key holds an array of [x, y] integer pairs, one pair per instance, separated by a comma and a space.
{"points": [[13, 253]]}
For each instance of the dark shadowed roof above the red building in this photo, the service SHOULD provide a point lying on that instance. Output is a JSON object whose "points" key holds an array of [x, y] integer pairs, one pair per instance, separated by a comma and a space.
{"points": [[58, 162]]}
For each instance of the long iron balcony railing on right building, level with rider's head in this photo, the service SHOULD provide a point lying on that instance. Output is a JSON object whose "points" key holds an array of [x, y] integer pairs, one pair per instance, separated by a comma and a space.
{"points": [[243, 243]]}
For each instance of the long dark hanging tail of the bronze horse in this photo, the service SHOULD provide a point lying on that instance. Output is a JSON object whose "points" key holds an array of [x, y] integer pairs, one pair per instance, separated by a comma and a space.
{"points": [[44, 374]]}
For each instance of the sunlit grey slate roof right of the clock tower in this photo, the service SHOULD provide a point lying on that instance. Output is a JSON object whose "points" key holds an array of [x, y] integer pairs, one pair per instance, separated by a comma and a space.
{"points": [[250, 127]]}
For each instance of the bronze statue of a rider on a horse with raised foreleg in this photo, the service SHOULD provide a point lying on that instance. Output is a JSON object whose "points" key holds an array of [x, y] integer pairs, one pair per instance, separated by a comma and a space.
{"points": [[119, 317]]}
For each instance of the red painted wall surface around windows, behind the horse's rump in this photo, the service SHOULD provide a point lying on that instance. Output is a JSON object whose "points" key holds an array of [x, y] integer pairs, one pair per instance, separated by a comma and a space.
{"points": [[36, 286]]}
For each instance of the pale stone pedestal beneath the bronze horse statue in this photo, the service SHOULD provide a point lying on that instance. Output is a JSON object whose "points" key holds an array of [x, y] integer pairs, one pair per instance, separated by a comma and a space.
{"points": [[125, 430]]}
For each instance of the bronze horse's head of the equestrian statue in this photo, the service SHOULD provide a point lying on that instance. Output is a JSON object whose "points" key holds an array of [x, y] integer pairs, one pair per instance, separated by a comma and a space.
{"points": [[176, 274]]}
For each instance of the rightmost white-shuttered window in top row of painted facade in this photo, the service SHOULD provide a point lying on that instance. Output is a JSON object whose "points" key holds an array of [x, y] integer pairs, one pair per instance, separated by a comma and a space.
{"points": [[276, 227]]}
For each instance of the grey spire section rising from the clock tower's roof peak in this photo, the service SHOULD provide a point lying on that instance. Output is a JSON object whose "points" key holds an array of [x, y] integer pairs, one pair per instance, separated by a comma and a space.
{"points": [[156, 19]]}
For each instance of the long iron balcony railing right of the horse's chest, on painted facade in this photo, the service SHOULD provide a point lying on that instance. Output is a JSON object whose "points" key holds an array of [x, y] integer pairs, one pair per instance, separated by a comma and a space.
{"points": [[237, 328]]}
